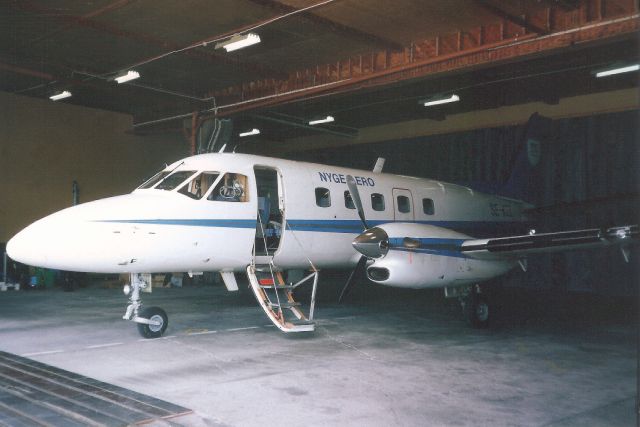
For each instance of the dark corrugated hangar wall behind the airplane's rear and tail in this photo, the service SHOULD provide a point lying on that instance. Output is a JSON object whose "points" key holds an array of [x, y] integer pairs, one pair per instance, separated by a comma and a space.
{"points": [[590, 176]]}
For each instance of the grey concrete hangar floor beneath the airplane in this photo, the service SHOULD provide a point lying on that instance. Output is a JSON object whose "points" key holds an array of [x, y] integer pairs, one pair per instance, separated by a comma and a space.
{"points": [[384, 358]]}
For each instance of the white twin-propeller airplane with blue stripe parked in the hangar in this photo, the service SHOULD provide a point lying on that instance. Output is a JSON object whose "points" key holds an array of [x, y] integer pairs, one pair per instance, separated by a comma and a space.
{"points": [[231, 213]]}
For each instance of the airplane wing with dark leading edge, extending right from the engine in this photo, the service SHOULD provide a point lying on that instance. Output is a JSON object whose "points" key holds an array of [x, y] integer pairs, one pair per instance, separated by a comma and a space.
{"points": [[518, 246]]}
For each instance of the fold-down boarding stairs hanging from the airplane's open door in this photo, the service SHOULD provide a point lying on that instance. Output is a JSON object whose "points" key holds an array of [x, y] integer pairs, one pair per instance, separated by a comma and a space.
{"points": [[276, 297]]}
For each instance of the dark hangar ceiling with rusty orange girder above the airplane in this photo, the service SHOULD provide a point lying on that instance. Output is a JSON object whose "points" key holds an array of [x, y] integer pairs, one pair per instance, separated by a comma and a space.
{"points": [[364, 62]]}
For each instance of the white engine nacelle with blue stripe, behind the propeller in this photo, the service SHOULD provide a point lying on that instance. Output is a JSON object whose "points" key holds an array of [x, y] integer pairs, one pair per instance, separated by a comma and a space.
{"points": [[427, 256]]}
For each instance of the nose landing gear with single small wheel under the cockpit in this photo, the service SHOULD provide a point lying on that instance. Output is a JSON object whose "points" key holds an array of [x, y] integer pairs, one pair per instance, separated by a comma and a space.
{"points": [[152, 321]]}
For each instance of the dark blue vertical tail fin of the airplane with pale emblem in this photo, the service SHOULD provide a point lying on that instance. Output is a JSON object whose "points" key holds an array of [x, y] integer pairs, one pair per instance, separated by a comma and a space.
{"points": [[525, 182]]}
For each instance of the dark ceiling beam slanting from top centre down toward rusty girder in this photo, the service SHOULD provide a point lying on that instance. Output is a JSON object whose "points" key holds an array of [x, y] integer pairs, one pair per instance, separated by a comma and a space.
{"points": [[337, 27]]}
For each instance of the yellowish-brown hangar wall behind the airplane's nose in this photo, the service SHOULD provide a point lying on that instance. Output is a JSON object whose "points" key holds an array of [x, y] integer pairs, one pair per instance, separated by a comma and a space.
{"points": [[45, 146]]}
